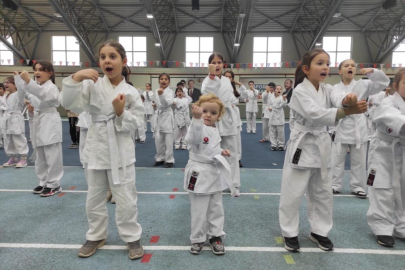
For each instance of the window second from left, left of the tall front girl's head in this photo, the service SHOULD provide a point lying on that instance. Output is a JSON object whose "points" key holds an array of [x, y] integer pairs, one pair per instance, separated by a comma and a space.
{"points": [[65, 50]]}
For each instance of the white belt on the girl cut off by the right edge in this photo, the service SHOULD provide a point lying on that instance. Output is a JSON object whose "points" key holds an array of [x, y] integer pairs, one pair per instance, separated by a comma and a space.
{"points": [[399, 191]]}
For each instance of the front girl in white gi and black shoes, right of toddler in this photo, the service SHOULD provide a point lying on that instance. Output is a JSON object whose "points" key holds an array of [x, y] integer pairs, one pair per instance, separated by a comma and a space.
{"points": [[307, 160]]}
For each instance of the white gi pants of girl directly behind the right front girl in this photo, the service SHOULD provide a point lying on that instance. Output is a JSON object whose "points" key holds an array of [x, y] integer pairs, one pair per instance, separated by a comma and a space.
{"points": [[357, 166]]}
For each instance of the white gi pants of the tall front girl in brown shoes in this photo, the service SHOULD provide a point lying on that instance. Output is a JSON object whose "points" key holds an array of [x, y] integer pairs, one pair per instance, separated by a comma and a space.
{"points": [[126, 211]]}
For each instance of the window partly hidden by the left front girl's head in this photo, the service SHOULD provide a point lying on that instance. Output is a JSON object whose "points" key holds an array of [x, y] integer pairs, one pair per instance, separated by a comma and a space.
{"points": [[136, 50]]}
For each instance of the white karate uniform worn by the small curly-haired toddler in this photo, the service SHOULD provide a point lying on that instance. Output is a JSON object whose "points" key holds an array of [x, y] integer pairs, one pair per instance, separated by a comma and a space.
{"points": [[207, 173]]}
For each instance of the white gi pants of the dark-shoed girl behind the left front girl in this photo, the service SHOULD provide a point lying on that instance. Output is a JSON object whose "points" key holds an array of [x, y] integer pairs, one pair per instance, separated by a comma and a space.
{"points": [[49, 165]]}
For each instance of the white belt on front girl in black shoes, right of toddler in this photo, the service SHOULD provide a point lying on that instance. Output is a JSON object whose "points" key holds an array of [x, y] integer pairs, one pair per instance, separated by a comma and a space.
{"points": [[316, 132]]}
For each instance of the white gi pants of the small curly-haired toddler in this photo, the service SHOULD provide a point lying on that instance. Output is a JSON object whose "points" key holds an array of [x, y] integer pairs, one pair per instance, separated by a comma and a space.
{"points": [[207, 217]]}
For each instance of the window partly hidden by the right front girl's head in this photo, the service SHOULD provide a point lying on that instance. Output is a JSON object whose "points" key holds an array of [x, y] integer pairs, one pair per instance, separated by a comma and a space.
{"points": [[339, 48]]}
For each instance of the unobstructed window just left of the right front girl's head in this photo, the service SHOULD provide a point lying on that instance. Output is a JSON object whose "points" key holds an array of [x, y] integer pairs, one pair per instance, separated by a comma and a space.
{"points": [[267, 50]]}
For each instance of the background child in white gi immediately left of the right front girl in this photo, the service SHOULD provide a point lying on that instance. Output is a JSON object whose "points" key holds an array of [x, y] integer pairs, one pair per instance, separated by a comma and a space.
{"points": [[276, 120]]}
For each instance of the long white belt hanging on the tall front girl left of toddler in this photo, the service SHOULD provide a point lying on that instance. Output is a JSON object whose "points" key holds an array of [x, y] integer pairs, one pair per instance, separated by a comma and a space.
{"points": [[115, 153]]}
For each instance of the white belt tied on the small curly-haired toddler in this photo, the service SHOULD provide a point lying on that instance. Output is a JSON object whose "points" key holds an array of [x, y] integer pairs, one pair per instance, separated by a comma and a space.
{"points": [[220, 162]]}
